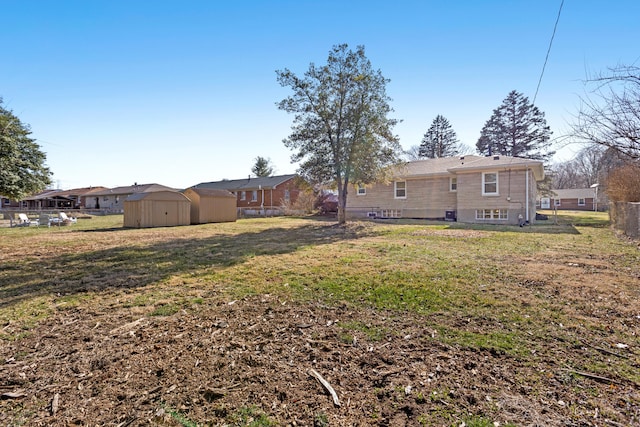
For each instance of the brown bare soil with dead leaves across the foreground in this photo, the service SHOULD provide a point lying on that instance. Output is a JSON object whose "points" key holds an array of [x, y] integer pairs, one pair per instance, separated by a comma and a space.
{"points": [[251, 361]]}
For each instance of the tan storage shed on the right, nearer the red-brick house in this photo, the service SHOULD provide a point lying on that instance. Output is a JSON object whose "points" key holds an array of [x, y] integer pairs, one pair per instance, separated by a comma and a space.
{"points": [[211, 205]]}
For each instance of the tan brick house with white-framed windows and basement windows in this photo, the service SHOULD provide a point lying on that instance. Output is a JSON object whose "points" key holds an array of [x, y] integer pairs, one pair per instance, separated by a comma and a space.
{"points": [[470, 189]]}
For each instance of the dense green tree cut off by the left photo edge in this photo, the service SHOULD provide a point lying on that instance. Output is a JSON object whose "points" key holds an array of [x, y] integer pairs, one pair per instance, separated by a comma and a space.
{"points": [[22, 168]]}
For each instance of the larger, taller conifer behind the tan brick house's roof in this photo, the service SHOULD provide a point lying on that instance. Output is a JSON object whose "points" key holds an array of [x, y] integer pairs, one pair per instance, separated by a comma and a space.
{"points": [[516, 128]]}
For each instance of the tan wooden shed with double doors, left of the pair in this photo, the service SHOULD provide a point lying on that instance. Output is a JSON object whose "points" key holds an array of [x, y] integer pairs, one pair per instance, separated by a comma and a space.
{"points": [[156, 209]]}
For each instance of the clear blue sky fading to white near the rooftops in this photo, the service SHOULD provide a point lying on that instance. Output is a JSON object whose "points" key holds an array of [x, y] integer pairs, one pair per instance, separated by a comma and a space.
{"points": [[183, 92]]}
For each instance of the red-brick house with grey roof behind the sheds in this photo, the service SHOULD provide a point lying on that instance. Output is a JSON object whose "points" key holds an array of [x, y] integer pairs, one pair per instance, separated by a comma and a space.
{"points": [[260, 195]]}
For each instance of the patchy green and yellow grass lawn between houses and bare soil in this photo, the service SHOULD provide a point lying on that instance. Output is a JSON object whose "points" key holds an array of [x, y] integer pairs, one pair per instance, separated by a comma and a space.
{"points": [[527, 293]]}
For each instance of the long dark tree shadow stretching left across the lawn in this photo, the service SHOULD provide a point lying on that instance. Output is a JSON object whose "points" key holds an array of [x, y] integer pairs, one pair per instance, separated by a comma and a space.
{"points": [[133, 266]]}
